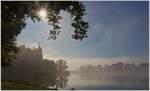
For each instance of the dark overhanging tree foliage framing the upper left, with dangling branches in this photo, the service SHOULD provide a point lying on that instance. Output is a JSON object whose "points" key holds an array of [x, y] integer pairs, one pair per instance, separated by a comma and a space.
{"points": [[14, 14]]}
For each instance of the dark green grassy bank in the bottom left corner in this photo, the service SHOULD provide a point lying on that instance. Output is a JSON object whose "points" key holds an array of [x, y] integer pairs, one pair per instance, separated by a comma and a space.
{"points": [[10, 85]]}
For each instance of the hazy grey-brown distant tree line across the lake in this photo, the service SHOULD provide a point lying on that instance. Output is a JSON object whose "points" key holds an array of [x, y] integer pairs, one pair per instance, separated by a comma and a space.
{"points": [[119, 67]]}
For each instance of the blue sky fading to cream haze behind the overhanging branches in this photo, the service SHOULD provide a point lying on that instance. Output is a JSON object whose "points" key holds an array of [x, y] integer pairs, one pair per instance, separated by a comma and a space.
{"points": [[118, 32]]}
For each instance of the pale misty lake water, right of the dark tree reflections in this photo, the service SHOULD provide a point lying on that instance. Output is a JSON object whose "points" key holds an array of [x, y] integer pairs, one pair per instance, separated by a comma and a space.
{"points": [[91, 81]]}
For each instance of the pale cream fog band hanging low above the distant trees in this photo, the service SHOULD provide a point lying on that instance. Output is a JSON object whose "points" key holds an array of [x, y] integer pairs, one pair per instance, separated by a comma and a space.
{"points": [[75, 63]]}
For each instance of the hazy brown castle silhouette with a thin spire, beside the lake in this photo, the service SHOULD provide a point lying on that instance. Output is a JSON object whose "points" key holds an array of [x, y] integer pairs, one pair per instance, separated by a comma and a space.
{"points": [[27, 66]]}
